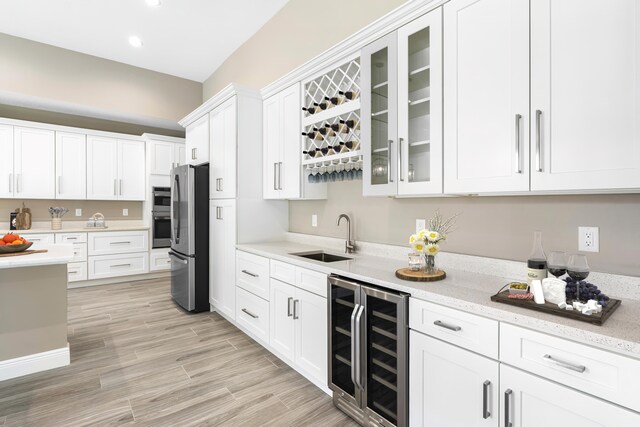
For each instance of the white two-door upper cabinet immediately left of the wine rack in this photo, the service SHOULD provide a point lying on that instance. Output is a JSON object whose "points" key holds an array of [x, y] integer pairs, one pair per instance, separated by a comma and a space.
{"points": [[281, 144]]}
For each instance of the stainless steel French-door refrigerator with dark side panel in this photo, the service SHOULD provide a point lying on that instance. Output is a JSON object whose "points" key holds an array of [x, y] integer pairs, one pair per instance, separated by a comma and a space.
{"points": [[190, 236]]}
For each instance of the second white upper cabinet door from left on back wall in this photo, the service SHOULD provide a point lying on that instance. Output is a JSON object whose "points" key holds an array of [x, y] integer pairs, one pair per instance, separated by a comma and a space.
{"points": [[34, 163]]}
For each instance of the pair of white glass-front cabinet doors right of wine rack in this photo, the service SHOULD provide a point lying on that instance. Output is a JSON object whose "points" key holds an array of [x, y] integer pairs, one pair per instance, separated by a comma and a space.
{"points": [[402, 110]]}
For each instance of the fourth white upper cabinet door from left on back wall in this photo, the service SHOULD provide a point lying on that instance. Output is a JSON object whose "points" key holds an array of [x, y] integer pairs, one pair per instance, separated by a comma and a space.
{"points": [[102, 168]]}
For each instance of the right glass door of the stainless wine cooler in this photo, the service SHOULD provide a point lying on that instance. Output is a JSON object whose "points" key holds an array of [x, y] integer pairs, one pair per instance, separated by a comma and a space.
{"points": [[386, 360]]}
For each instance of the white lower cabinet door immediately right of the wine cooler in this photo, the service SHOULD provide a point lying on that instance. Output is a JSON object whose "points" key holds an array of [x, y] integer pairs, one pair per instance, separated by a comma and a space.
{"points": [[450, 386]]}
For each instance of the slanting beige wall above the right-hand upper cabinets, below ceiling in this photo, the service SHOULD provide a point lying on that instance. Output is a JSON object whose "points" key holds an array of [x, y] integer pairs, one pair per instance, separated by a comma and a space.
{"points": [[293, 37]]}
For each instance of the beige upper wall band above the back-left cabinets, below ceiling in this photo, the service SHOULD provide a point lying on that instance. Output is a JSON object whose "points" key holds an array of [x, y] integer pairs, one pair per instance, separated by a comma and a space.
{"points": [[44, 71]]}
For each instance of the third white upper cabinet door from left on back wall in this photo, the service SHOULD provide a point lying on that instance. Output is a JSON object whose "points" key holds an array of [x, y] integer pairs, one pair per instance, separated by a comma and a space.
{"points": [[71, 166]]}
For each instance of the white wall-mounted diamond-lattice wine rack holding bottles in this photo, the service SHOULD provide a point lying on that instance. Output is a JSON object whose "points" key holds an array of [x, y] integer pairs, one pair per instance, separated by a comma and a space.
{"points": [[331, 147]]}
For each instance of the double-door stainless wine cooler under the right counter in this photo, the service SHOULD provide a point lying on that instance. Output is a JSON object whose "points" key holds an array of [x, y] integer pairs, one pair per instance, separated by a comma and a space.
{"points": [[368, 357]]}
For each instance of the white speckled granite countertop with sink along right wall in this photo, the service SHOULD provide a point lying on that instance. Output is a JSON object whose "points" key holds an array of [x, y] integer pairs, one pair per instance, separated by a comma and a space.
{"points": [[469, 292]]}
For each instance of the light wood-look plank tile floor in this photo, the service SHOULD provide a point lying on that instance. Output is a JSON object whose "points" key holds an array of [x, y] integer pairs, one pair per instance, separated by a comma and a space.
{"points": [[137, 358]]}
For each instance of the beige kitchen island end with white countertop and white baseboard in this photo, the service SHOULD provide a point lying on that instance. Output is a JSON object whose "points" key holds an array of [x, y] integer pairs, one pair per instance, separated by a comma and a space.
{"points": [[33, 311]]}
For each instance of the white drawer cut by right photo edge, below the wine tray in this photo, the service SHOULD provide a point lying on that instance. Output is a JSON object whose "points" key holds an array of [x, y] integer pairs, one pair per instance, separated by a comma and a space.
{"points": [[598, 372]]}
